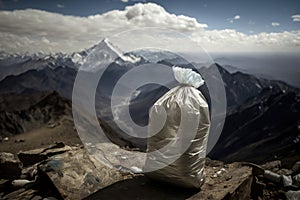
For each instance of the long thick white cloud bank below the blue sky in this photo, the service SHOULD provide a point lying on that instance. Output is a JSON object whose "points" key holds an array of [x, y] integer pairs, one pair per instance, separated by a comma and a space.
{"points": [[34, 31]]}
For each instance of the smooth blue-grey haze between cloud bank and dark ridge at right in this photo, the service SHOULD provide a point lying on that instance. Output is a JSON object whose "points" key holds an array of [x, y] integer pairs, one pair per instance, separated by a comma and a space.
{"points": [[276, 66]]}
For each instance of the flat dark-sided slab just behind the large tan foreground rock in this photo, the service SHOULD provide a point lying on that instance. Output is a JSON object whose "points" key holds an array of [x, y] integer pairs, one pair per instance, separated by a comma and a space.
{"points": [[37, 155]]}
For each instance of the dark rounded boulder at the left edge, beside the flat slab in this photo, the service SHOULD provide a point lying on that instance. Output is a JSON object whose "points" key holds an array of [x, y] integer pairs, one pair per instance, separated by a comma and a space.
{"points": [[9, 166]]}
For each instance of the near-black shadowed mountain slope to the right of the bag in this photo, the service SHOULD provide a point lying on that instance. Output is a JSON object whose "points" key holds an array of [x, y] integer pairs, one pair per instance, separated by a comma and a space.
{"points": [[264, 128]]}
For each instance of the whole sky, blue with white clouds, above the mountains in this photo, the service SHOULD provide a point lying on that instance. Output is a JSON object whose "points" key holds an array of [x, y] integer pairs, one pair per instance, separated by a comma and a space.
{"points": [[218, 26]]}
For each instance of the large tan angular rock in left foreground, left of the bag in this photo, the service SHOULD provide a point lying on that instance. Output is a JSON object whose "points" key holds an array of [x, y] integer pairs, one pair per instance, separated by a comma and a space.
{"points": [[76, 175]]}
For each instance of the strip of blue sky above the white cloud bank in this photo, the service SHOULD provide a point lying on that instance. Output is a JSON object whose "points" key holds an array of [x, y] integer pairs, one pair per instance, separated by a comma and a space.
{"points": [[255, 16]]}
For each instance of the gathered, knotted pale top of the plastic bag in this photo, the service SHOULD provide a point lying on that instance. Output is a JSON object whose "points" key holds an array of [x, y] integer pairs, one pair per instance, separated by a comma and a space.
{"points": [[187, 77]]}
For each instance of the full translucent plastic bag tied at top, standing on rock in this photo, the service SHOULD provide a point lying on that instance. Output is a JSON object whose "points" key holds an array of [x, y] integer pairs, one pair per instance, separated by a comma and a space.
{"points": [[178, 129]]}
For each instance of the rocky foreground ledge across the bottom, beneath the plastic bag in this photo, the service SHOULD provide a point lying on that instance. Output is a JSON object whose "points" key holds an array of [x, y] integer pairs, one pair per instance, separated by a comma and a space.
{"points": [[64, 172]]}
